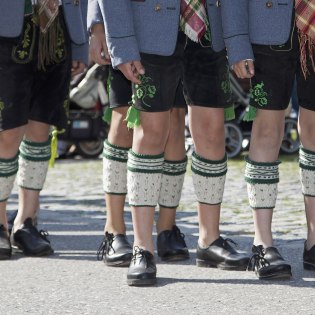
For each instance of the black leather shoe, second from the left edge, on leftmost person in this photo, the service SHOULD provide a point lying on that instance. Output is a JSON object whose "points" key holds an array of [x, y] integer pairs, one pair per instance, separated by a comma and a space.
{"points": [[31, 241]]}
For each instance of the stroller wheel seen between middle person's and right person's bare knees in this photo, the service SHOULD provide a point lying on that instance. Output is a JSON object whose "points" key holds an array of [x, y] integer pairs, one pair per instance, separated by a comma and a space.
{"points": [[233, 139]]}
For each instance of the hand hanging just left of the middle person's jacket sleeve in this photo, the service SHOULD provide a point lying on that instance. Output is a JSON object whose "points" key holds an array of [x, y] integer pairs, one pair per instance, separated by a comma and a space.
{"points": [[98, 47]]}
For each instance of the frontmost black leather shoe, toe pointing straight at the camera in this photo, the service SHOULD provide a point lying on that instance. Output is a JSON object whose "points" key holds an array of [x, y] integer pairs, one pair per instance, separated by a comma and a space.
{"points": [[142, 269]]}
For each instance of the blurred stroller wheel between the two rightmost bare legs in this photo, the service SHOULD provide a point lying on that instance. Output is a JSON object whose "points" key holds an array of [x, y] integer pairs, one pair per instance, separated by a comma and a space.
{"points": [[291, 141]]}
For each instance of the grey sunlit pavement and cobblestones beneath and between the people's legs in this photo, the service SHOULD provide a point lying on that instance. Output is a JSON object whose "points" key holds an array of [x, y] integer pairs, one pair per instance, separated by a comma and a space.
{"points": [[72, 281]]}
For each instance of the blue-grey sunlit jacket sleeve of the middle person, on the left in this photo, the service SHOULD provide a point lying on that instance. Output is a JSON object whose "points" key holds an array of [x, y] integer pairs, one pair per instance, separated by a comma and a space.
{"points": [[119, 29]]}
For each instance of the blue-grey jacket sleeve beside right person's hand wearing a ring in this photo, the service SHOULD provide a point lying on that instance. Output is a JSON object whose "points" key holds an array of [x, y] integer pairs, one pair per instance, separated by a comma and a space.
{"points": [[235, 22]]}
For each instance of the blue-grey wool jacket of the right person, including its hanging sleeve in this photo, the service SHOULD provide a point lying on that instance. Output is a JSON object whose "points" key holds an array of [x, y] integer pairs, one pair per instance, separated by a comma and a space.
{"points": [[246, 22]]}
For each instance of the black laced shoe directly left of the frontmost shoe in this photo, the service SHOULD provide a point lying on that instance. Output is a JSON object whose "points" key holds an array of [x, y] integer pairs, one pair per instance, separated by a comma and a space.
{"points": [[115, 250]]}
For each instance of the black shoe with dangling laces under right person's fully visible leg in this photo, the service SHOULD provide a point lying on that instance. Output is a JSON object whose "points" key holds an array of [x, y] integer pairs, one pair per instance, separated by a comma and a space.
{"points": [[269, 264]]}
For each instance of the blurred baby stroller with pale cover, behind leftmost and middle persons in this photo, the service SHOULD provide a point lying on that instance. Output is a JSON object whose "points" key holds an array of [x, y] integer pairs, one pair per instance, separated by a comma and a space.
{"points": [[86, 130]]}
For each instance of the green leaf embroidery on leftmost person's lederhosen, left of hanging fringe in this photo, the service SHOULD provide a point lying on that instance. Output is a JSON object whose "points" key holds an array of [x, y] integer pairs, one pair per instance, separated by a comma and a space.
{"points": [[23, 52]]}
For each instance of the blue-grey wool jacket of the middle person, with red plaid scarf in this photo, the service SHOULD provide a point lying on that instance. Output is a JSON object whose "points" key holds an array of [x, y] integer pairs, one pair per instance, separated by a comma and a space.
{"points": [[147, 26]]}
